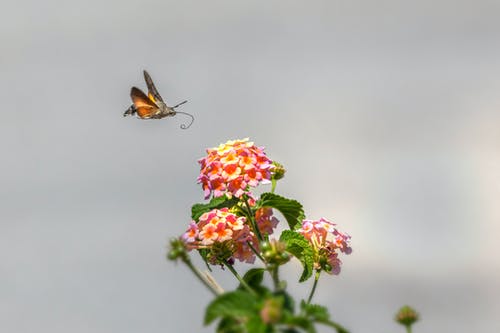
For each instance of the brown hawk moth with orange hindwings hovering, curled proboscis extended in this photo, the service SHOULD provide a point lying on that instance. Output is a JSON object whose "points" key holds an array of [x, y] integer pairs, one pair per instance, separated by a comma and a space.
{"points": [[152, 106]]}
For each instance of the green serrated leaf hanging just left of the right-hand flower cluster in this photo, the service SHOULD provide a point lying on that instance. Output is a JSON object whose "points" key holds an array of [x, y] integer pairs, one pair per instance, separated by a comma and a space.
{"points": [[300, 247]]}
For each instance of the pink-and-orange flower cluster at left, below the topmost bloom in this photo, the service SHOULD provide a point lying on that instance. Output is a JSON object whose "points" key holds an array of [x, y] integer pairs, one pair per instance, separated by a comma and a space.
{"points": [[221, 226]]}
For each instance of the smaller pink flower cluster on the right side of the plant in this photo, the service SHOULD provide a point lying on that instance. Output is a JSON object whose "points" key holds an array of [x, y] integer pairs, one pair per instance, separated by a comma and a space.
{"points": [[327, 242]]}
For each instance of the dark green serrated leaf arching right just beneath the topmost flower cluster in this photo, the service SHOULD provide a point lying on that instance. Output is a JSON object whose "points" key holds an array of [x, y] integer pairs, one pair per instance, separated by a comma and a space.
{"points": [[292, 210]]}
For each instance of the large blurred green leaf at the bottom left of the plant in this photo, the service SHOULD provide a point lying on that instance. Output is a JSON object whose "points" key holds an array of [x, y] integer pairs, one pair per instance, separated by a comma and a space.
{"points": [[236, 304]]}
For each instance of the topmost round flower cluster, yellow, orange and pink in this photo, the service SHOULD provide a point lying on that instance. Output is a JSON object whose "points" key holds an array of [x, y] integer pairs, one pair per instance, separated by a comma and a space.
{"points": [[232, 167]]}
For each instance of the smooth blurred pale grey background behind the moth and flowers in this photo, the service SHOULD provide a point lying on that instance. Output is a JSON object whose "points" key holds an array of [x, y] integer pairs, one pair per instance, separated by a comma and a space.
{"points": [[386, 115]]}
